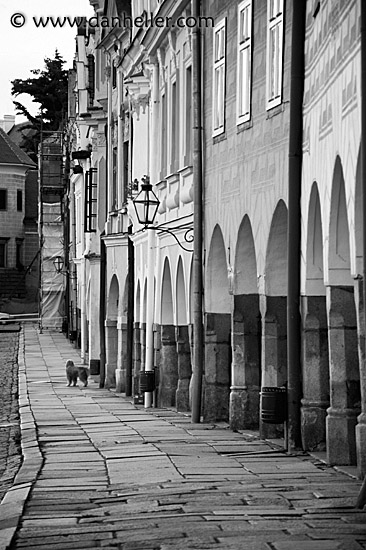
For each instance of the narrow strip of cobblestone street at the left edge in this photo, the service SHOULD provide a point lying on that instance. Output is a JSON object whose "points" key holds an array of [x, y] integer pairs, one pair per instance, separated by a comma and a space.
{"points": [[10, 450]]}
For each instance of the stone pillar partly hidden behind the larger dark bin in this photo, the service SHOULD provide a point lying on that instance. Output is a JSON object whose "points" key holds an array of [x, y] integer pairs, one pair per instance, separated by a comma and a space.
{"points": [[274, 352]]}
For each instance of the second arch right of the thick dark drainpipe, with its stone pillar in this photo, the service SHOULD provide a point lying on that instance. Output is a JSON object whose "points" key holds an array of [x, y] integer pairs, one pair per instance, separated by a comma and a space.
{"points": [[345, 395]]}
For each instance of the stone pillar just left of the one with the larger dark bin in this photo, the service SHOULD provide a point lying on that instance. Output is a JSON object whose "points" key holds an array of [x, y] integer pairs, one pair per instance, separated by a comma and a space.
{"points": [[246, 369]]}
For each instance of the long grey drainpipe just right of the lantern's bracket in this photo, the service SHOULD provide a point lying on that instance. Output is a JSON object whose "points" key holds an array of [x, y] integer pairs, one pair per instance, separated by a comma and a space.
{"points": [[197, 366]]}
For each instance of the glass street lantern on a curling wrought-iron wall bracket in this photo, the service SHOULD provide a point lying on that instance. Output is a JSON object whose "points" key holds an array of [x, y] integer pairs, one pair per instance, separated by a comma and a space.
{"points": [[146, 205]]}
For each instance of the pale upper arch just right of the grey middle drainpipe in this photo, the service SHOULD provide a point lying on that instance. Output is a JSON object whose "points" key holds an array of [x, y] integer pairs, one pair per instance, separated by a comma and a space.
{"points": [[216, 287]]}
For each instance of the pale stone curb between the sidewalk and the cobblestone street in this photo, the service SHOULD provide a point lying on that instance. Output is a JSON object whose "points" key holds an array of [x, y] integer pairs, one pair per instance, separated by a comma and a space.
{"points": [[12, 505]]}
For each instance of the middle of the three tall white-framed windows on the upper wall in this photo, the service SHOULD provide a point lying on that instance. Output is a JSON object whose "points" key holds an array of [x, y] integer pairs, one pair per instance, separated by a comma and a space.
{"points": [[244, 61]]}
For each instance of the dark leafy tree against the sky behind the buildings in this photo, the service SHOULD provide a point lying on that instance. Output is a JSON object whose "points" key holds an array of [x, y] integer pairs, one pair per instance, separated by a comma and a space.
{"points": [[48, 87]]}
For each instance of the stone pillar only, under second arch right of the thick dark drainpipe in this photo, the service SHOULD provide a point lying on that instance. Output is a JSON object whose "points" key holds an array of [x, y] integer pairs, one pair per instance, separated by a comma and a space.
{"points": [[345, 395]]}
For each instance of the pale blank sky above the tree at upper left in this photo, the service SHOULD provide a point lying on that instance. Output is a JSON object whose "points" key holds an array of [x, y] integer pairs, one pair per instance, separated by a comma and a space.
{"points": [[25, 47]]}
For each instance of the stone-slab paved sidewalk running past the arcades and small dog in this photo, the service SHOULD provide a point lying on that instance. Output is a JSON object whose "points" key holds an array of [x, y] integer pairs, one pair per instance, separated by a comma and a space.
{"points": [[100, 472]]}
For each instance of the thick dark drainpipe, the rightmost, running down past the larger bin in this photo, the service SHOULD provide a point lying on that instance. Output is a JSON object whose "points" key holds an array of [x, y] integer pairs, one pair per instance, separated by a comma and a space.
{"points": [[294, 227]]}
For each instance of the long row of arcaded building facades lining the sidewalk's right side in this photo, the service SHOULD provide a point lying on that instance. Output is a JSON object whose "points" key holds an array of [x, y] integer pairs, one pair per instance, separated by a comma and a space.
{"points": [[133, 284]]}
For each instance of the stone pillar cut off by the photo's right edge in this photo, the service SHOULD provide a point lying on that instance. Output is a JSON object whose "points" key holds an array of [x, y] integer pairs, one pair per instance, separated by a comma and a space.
{"points": [[361, 426]]}
